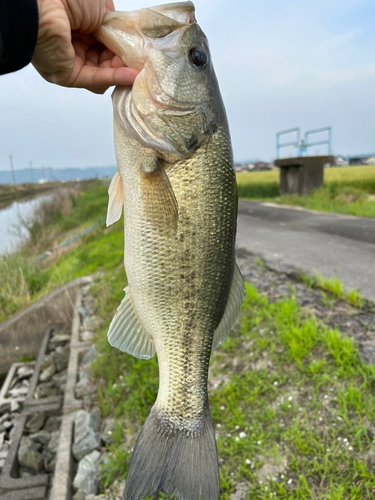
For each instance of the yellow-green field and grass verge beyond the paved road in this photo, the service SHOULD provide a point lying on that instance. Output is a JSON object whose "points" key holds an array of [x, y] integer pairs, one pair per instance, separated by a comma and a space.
{"points": [[347, 190]]}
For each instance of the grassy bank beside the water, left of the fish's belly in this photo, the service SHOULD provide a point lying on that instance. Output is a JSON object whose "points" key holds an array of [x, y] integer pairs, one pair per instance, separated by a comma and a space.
{"points": [[25, 279]]}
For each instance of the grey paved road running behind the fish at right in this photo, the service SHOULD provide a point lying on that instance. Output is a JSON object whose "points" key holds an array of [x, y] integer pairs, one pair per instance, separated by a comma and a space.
{"points": [[332, 245]]}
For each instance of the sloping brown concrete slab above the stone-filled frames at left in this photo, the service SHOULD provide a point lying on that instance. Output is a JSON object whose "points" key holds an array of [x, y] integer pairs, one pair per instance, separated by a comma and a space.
{"points": [[22, 334]]}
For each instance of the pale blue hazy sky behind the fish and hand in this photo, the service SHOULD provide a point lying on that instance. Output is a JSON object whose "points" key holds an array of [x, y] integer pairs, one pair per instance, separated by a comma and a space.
{"points": [[279, 65]]}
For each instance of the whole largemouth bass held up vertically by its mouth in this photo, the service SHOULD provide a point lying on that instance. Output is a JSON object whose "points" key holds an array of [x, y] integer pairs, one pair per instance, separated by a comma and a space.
{"points": [[176, 185]]}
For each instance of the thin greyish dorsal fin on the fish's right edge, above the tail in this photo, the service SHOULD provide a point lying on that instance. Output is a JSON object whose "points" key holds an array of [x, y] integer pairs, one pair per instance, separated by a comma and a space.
{"points": [[236, 295]]}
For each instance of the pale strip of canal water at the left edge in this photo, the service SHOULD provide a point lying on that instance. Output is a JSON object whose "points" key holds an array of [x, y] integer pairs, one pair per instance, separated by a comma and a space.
{"points": [[11, 231]]}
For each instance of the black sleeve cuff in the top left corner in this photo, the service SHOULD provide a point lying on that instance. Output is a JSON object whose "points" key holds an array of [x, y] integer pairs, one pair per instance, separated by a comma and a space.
{"points": [[18, 33]]}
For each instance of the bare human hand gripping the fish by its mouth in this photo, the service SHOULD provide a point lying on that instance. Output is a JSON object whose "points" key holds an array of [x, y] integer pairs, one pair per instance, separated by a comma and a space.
{"points": [[67, 54]]}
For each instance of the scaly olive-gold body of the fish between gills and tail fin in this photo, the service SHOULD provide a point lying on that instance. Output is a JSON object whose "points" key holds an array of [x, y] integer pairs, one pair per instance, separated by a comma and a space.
{"points": [[182, 277]]}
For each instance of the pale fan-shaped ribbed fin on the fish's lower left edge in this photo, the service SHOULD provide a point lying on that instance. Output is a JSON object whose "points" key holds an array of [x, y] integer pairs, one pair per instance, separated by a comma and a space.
{"points": [[126, 332]]}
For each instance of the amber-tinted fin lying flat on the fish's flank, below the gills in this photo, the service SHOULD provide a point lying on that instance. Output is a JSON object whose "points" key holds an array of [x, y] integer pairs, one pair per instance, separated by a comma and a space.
{"points": [[159, 203]]}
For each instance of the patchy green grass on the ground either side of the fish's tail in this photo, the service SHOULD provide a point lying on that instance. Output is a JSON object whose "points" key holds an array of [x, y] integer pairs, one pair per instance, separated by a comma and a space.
{"points": [[292, 415]]}
